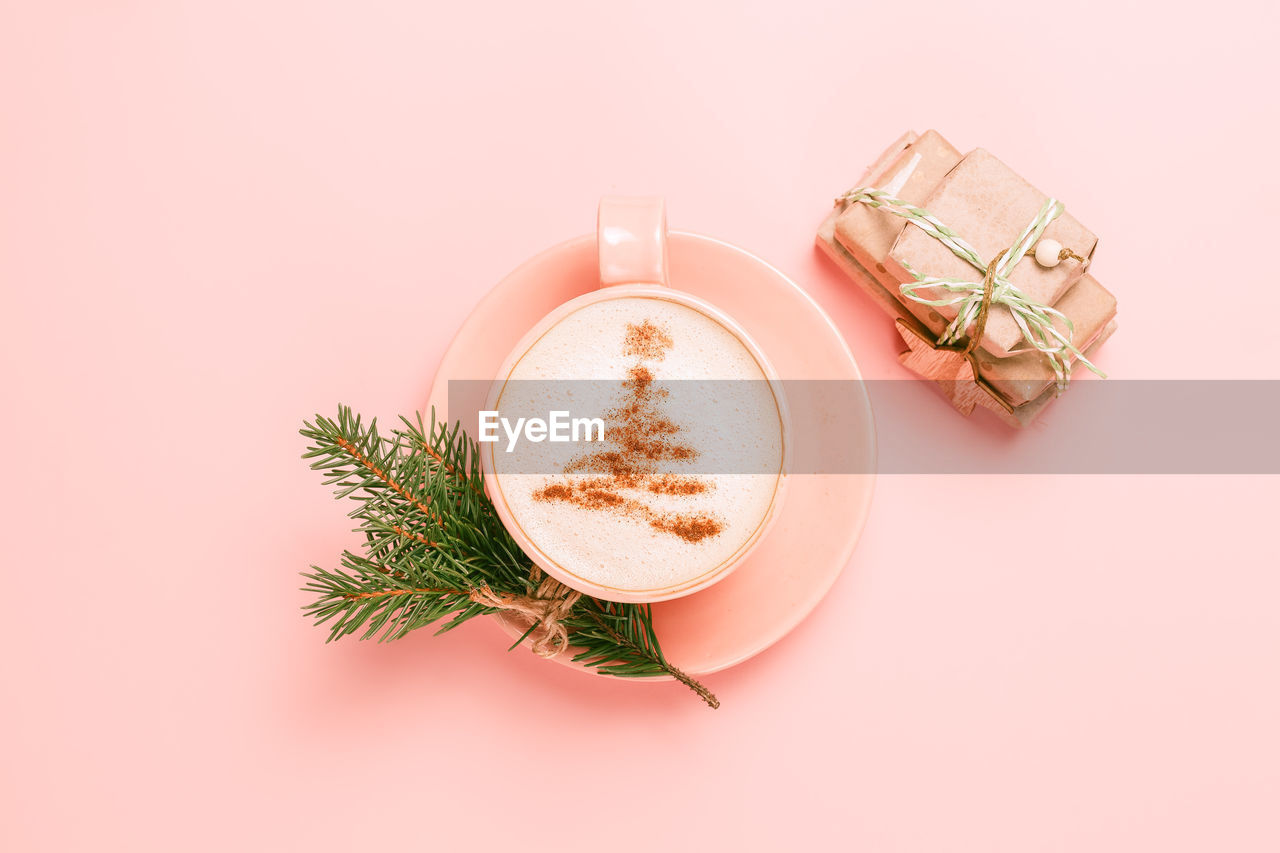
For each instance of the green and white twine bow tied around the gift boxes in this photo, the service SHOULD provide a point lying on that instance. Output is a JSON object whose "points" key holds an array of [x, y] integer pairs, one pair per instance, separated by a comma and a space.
{"points": [[1035, 321]]}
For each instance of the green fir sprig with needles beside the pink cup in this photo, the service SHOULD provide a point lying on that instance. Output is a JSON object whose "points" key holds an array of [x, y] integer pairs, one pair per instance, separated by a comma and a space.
{"points": [[432, 539]]}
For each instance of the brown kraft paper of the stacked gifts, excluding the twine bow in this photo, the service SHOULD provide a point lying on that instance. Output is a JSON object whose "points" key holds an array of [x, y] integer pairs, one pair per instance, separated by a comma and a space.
{"points": [[990, 206]]}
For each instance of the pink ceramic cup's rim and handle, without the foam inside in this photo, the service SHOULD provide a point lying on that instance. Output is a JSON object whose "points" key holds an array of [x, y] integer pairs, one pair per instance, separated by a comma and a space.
{"points": [[633, 257]]}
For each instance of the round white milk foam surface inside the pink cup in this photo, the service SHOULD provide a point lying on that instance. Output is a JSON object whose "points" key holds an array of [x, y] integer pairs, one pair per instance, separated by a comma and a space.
{"points": [[735, 430]]}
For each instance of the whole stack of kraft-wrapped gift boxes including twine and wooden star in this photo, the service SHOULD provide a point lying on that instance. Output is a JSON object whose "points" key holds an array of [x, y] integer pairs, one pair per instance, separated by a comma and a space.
{"points": [[986, 276]]}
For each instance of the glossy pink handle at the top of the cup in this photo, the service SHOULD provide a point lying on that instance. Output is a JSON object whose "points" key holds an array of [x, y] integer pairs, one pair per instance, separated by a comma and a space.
{"points": [[632, 238]]}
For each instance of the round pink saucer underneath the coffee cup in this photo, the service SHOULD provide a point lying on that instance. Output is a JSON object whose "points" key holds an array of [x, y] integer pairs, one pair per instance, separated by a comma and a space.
{"points": [[822, 518]]}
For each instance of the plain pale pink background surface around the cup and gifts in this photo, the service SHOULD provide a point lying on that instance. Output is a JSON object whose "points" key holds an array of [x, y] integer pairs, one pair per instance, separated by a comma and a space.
{"points": [[220, 218]]}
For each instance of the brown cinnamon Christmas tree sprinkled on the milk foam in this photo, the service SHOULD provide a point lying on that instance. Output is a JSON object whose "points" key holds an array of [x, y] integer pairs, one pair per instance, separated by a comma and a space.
{"points": [[643, 436]]}
